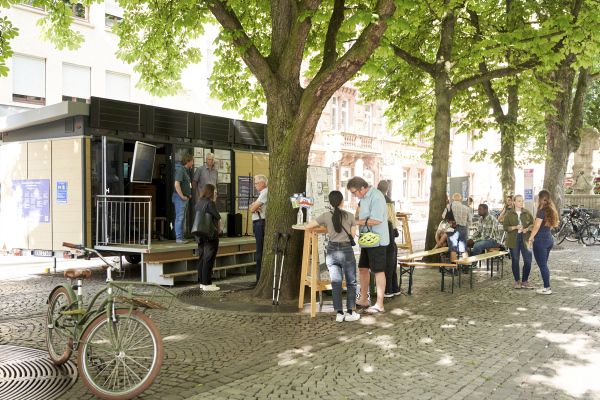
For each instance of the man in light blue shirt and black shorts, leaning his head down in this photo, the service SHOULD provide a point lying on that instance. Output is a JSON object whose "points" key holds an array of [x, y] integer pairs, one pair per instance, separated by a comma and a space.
{"points": [[372, 214]]}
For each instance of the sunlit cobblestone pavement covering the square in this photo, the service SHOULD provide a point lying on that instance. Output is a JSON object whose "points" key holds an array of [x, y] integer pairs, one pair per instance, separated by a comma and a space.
{"points": [[492, 342]]}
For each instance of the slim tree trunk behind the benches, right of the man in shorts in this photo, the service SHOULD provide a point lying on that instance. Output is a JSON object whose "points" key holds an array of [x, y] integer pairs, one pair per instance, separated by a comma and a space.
{"points": [[439, 165]]}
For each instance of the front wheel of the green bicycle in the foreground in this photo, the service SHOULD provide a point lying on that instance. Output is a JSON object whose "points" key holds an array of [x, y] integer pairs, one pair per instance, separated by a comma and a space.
{"points": [[120, 372]]}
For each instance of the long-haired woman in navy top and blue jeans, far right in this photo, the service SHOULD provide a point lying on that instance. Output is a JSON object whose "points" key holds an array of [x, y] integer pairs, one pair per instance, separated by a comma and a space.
{"points": [[541, 238]]}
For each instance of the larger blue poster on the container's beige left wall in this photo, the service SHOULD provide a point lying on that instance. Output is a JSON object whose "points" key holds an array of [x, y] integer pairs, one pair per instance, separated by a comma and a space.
{"points": [[33, 199]]}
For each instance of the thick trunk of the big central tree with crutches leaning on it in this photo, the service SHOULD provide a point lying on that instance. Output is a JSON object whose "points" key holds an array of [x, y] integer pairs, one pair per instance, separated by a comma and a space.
{"points": [[290, 136]]}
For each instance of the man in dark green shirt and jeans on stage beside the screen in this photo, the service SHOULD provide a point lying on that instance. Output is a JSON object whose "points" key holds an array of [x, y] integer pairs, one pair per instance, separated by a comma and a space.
{"points": [[182, 195]]}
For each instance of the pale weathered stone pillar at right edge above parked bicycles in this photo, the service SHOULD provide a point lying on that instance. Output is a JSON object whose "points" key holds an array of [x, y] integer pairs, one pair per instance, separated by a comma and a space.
{"points": [[583, 179]]}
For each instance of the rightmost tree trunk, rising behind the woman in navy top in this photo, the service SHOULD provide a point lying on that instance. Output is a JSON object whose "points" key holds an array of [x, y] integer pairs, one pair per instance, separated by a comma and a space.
{"points": [[558, 144]]}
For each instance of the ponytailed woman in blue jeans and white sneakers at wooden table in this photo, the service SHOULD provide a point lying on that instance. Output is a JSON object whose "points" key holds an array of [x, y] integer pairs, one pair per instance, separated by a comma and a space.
{"points": [[341, 226]]}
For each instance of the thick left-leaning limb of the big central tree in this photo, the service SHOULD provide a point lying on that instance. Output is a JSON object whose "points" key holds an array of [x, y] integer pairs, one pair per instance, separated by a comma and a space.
{"points": [[253, 59]]}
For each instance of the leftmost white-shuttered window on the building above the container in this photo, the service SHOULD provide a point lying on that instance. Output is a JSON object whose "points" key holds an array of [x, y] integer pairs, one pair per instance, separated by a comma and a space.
{"points": [[29, 79]]}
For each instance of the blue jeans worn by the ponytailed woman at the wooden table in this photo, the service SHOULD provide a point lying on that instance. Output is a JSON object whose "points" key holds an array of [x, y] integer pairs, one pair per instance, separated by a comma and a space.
{"points": [[341, 257]]}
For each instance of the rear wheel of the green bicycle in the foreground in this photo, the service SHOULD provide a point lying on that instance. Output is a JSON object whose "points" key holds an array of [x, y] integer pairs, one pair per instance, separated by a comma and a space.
{"points": [[58, 339]]}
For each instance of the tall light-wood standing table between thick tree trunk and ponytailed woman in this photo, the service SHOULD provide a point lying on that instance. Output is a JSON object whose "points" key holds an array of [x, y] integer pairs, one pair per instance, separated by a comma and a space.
{"points": [[311, 247]]}
